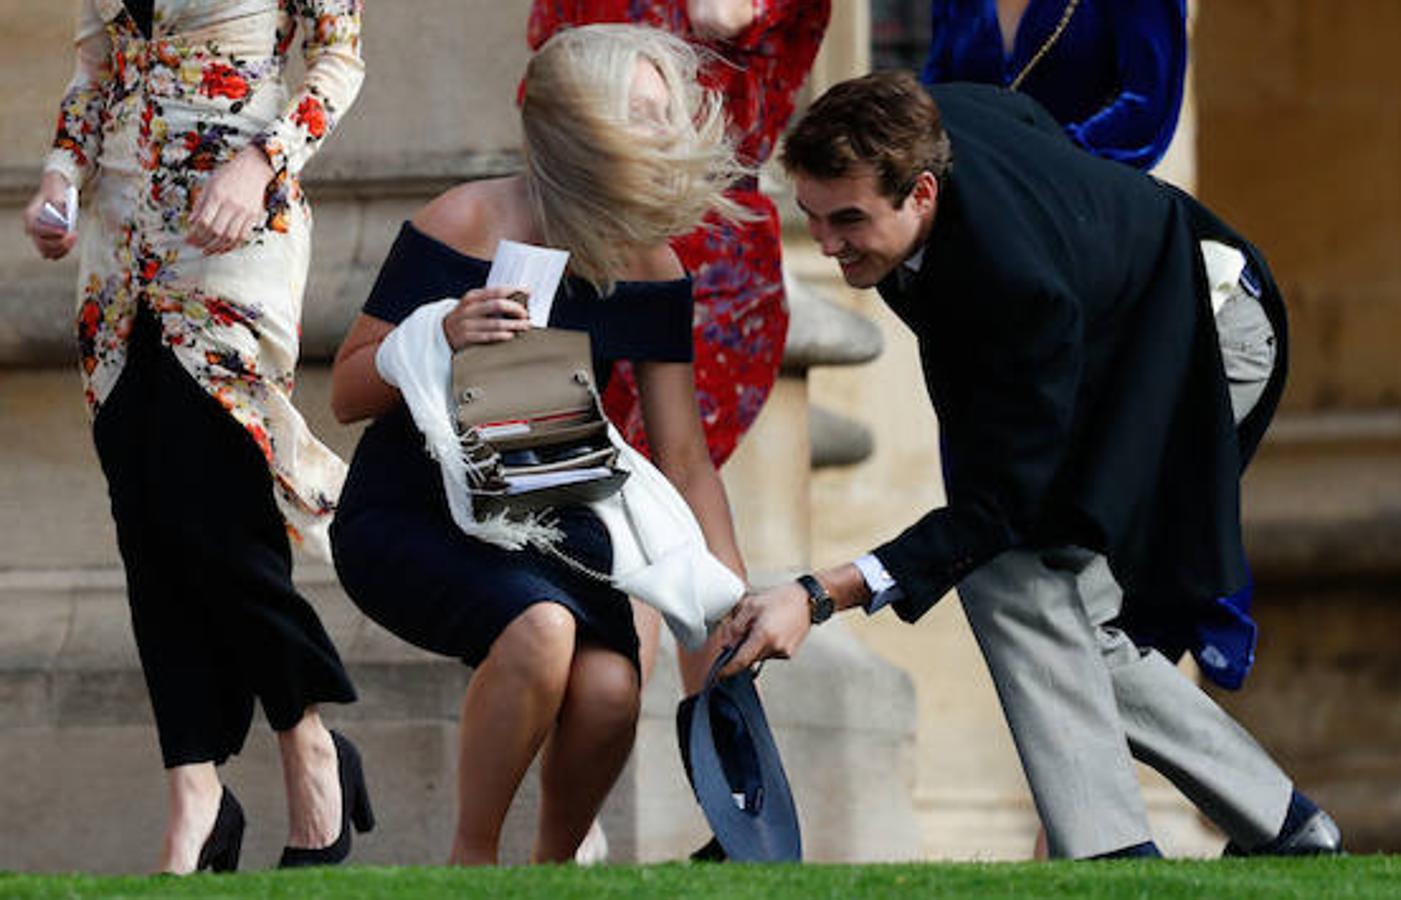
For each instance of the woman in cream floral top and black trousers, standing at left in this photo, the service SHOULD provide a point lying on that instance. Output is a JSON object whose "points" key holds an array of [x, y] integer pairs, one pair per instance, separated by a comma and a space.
{"points": [[187, 145]]}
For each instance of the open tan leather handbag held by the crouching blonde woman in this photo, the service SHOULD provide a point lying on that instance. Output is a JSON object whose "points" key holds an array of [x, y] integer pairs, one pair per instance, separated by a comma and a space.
{"points": [[532, 424]]}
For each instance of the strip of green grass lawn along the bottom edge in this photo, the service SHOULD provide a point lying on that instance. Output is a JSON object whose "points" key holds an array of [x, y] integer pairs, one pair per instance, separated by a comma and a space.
{"points": [[1231, 880]]}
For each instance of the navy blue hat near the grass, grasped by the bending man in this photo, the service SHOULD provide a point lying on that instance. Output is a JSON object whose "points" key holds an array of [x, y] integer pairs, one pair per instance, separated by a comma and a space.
{"points": [[736, 772]]}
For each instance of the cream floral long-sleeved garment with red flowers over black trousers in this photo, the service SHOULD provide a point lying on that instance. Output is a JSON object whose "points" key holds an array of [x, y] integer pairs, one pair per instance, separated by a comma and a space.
{"points": [[155, 118]]}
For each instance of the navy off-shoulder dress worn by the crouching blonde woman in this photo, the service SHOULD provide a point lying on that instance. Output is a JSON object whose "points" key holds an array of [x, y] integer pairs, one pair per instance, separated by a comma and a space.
{"points": [[399, 553]]}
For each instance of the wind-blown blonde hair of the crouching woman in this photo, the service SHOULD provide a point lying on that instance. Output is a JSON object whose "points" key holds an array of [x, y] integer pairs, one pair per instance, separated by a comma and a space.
{"points": [[602, 182]]}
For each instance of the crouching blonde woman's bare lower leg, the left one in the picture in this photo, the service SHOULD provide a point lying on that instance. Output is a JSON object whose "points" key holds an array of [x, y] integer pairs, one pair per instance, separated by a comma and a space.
{"points": [[509, 710]]}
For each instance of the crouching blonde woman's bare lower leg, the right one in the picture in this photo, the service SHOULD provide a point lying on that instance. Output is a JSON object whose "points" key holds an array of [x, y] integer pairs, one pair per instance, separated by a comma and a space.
{"points": [[586, 752]]}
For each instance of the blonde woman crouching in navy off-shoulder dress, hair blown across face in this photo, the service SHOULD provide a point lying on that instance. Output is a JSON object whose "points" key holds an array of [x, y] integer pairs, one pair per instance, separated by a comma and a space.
{"points": [[623, 152]]}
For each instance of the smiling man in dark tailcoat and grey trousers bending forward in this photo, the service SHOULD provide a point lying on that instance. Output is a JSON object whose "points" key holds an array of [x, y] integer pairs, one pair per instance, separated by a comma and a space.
{"points": [[1103, 355]]}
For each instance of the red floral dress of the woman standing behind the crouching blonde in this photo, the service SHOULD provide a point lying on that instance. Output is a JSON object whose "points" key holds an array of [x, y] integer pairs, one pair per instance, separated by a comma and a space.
{"points": [[740, 312]]}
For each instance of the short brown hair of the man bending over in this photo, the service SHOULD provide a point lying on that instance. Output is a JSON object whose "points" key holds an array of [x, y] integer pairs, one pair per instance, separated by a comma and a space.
{"points": [[885, 120]]}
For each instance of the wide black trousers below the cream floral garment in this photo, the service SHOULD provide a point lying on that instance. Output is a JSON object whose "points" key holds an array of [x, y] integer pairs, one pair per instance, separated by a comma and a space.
{"points": [[208, 563]]}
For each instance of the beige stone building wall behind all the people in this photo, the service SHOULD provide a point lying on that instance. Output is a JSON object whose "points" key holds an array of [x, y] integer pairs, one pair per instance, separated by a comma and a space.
{"points": [[1294, 135]]}
